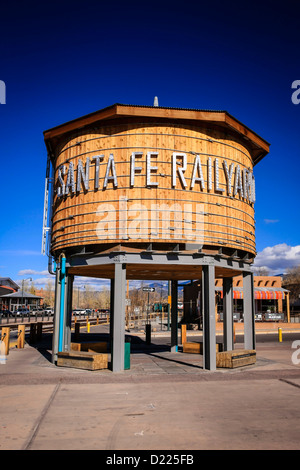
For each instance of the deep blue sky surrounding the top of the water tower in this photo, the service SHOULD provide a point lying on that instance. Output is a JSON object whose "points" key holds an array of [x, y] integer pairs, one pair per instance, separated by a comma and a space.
{"points": [[61, 60]]}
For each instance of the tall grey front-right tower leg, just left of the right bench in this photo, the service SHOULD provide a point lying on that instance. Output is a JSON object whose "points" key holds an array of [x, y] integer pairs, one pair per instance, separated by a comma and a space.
{"points": [[209, 317]]}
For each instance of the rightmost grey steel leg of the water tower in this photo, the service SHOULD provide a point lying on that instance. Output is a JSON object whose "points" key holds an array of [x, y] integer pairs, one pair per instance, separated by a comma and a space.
{"points": [[249, 311]]}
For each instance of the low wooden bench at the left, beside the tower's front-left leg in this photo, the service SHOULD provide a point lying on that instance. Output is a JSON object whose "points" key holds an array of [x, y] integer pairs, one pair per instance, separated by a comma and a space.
{"points": [[88, 360]]}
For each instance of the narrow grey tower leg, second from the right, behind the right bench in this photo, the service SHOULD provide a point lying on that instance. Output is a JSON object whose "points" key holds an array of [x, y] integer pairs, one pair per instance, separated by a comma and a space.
{"points": [[228, 314]]}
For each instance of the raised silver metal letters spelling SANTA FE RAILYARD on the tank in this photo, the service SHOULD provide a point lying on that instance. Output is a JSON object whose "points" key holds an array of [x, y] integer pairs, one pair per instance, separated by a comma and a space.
{"points": [[222, 178]]}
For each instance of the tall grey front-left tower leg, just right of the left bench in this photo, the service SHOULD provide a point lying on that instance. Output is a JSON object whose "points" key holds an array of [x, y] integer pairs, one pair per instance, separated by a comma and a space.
{"points": [[118, 328]]}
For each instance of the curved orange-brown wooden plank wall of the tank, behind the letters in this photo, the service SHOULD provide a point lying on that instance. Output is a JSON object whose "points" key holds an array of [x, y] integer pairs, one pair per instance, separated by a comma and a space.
{"points": [[227, 221]]}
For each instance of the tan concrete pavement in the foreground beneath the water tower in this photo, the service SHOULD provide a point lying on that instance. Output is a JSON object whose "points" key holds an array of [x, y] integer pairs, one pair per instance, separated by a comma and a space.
{"points": [[165, 401]]}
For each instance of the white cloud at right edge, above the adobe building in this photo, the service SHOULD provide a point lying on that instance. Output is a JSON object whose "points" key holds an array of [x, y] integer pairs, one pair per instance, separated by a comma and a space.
{"points": [[278, 258]]}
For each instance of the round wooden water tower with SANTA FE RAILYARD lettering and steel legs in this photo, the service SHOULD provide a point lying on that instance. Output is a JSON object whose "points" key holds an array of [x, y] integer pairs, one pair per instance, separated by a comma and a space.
{"points": [[142, 192]]}
